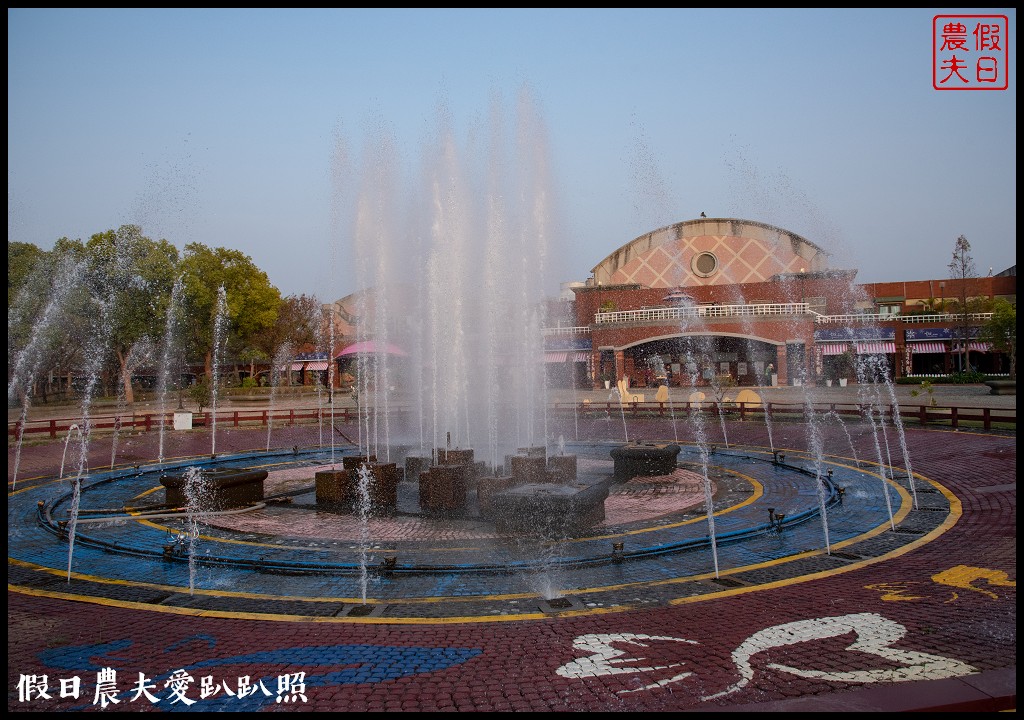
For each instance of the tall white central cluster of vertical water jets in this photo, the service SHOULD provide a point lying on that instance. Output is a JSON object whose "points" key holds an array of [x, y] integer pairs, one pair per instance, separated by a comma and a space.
{"points": [[451, 273]]}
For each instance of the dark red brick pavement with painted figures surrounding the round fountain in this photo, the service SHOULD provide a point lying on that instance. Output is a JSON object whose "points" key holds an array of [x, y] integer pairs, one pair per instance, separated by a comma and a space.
{"points": [[946, 609]]}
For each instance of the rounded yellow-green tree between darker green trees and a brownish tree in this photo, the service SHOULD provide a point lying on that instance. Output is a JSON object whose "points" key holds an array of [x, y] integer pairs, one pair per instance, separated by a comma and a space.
{"points": [[253, 303]]}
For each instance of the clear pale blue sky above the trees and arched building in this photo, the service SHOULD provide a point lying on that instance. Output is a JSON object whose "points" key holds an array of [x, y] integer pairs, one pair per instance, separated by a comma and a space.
{"points": [[221, 126]]}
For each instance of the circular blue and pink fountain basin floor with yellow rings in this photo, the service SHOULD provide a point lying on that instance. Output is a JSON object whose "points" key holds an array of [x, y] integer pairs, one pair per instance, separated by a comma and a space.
{"points": [[286, 550]]}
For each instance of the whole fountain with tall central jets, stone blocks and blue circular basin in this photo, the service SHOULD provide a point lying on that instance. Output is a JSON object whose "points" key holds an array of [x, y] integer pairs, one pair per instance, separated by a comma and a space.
{"points": [[457, 286]]}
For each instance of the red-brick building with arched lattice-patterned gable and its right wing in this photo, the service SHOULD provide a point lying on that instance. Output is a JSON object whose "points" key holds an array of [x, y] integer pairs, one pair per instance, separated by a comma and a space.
{"points": [[715, 299]]}
